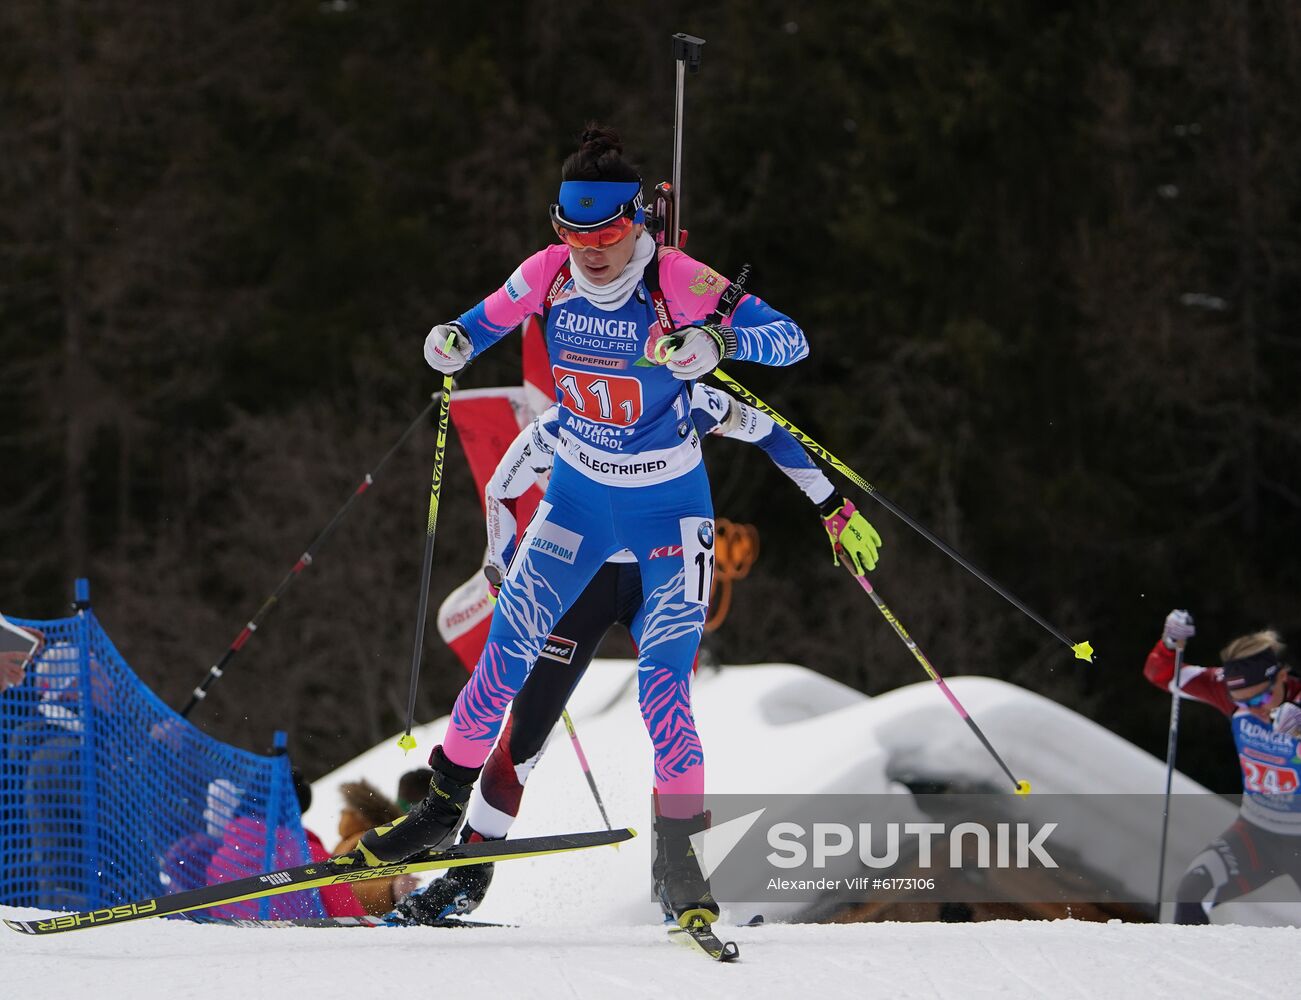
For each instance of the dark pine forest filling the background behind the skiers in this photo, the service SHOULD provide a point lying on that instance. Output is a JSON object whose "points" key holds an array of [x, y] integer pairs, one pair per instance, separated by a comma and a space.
{"points": [[1048, 258]]}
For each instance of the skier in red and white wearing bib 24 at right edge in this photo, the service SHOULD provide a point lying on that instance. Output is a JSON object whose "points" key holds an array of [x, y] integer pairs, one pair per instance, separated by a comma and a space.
{"points": [[1257, 692]]}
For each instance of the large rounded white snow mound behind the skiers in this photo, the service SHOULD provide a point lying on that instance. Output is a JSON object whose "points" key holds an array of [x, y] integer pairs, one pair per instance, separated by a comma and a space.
{"points": [[781, 729]]}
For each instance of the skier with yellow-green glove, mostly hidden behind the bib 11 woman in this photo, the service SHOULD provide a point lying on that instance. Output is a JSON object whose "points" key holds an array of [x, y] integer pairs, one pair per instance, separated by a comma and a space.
{"points": [[613, 596]]}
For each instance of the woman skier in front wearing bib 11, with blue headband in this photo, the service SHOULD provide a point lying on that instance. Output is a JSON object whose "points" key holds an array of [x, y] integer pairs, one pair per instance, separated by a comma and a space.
{"points": [[628, 327]]}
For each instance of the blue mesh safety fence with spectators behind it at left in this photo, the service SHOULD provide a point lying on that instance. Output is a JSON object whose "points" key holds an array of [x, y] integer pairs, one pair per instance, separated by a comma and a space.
{"points": [[109, 796]]}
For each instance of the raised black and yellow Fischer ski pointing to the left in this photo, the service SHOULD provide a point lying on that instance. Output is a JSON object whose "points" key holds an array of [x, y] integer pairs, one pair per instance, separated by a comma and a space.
{"points": [[340, 871]]}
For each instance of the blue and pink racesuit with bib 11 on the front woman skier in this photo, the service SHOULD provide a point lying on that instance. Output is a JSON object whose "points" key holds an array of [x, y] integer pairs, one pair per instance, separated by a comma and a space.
{"points": [[628, 477]]}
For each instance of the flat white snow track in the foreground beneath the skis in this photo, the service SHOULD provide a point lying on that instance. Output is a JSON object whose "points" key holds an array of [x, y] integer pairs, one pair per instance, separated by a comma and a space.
{"points": [[170, 960]]}
